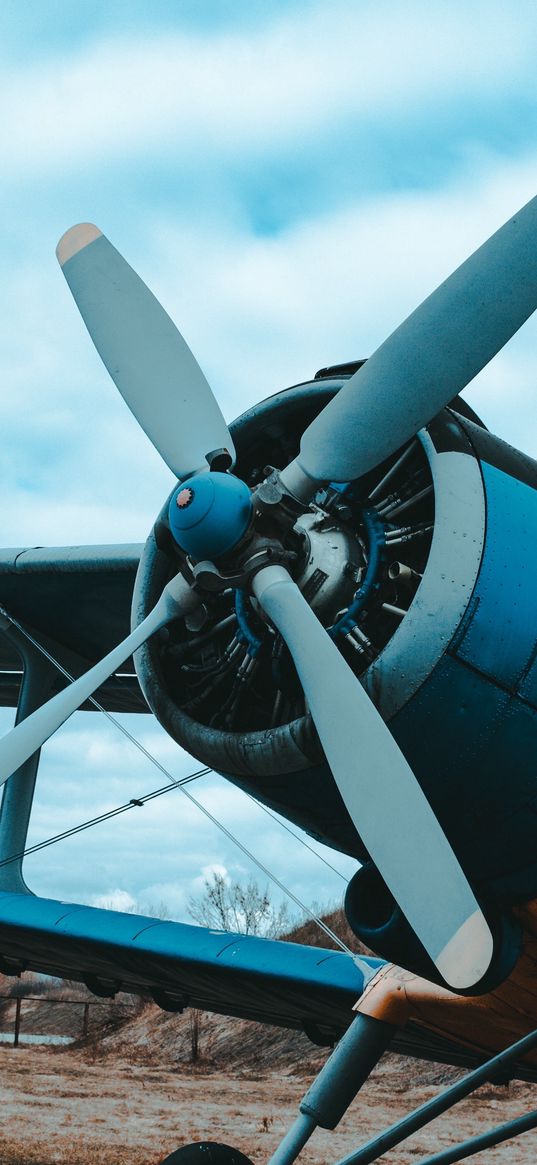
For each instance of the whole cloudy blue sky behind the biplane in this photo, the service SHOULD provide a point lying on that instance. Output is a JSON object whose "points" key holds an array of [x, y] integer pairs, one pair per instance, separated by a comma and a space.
{"points": [[291, 180]]}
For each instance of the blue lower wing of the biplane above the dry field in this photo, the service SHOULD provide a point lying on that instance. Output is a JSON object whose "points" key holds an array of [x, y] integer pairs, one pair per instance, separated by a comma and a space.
{"points": [[282, 984]]}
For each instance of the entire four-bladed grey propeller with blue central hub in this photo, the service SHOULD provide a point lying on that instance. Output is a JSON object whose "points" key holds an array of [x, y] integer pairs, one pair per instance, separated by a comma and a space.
{"points": [[422, 366]]}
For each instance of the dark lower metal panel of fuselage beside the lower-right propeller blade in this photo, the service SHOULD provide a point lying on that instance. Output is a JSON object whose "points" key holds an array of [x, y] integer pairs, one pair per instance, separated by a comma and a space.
{"points": [[474, 746]]}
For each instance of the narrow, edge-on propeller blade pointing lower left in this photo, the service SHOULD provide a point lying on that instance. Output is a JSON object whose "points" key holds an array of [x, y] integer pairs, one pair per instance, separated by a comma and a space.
{"points": [[29, 736]]}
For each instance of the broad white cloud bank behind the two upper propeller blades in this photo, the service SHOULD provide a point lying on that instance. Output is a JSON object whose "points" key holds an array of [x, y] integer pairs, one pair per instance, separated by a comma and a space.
{"points": [[259, 314]]}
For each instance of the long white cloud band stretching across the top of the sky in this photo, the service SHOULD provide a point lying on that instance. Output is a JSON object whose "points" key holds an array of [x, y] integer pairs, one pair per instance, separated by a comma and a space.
{"points": [[287, 83]]}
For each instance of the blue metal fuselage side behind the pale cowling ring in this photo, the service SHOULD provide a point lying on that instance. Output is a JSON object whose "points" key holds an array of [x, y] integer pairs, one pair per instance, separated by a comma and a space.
{"points": [[471, 732]]}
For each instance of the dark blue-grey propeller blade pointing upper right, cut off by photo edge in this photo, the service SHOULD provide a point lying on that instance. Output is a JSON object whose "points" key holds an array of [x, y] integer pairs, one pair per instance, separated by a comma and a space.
{"points": [[426, 363]]}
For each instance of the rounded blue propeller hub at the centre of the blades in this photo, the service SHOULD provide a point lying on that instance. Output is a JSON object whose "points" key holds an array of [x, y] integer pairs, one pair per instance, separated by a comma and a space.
{"points": [[209, 514]]}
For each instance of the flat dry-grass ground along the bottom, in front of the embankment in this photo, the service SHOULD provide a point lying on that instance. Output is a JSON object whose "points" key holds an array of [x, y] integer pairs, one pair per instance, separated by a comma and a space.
{"points": [[65, 1107]]}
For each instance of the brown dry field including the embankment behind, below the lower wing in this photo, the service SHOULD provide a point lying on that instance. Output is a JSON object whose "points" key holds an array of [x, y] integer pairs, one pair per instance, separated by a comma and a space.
{"points": [[129, 1093]]}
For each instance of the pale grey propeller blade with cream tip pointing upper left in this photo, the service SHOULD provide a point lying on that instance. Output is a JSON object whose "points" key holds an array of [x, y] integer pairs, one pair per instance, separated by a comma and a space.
{"points": [[146, 356]]}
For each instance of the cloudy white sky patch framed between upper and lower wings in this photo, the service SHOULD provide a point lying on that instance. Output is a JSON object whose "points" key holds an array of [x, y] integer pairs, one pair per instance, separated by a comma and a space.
{"points": [[164, 852]]}
